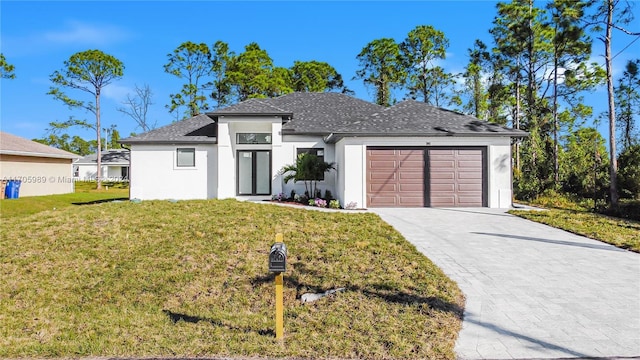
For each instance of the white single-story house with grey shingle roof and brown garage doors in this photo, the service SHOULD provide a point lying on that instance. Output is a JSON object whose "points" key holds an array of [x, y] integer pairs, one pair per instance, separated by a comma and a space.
{"points": [[410, 154]]}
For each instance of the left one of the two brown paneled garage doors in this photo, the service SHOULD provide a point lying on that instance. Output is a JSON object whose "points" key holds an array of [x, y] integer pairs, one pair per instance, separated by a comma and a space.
{"points": [[395, 177]]}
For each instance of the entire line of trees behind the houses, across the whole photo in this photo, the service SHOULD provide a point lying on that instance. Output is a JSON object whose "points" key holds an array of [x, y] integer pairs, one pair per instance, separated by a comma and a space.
{"points": [[532, 76]]}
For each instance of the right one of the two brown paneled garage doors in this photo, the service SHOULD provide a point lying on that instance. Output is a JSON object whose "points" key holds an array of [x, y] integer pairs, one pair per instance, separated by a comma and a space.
{"points": [[456, 177]]}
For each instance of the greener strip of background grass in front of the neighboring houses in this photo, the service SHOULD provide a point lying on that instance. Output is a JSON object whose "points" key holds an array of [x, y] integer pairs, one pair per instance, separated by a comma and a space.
{"points": [[85, 192]]}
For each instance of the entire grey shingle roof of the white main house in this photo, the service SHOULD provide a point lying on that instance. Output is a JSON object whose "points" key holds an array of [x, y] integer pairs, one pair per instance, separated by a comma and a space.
{"points": [[333, 113]]}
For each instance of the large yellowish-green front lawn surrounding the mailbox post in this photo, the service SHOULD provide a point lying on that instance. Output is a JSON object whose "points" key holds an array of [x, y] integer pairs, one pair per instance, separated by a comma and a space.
{"points": [[190, 279]]}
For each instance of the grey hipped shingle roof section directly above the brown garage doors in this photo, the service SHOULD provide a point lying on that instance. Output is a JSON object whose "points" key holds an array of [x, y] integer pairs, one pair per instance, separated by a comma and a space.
{"points": [[417, 118]]}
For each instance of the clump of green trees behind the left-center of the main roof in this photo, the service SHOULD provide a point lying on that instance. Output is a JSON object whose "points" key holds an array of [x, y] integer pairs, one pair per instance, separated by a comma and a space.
{"points": [[216, 77]]}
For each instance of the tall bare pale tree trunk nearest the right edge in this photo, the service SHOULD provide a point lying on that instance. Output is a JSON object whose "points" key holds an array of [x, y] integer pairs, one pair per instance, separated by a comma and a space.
{"points": [[613, 167]]}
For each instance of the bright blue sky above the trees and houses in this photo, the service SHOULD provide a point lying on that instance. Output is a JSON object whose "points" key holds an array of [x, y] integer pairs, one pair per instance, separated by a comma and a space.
{"points": [[37, 37]]}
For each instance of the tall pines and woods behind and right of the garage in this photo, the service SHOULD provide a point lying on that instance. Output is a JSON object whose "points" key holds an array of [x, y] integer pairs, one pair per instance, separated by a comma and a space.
{"points": [[533, 76]]}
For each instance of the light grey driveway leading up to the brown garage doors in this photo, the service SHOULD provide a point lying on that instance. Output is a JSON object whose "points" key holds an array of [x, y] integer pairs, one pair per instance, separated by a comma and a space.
{"points": [[532, 291]]}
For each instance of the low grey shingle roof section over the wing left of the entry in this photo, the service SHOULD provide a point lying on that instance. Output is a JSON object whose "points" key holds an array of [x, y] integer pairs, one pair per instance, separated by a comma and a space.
{"points": [[198, 129]]}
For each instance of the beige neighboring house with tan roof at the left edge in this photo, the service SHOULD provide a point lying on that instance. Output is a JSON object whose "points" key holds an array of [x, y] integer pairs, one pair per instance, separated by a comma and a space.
{"points": [[42, 169]]}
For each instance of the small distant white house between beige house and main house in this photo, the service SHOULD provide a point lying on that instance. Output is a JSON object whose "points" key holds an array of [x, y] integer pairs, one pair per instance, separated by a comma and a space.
{"points": [[115, 166]]}
